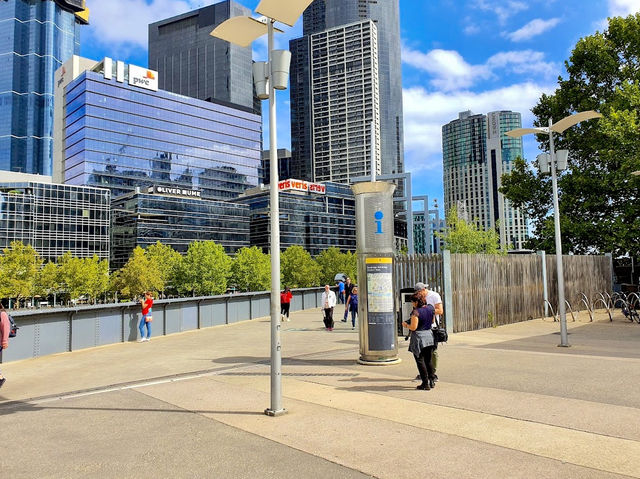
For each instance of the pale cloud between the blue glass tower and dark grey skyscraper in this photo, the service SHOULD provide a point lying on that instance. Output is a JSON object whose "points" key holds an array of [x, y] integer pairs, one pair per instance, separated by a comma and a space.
{"points": [[125, 22]]}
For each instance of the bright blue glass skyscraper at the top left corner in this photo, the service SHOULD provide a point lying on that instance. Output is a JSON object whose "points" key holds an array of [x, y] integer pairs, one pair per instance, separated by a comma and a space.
{"points": [[37, 37]]}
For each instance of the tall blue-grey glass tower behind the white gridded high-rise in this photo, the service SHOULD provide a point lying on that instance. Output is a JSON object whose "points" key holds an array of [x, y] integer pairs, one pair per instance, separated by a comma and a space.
{"points": [[323, 15]]}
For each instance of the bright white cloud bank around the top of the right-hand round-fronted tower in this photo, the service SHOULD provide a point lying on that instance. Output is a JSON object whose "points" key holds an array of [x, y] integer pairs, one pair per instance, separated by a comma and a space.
{"points": [[426, 112]]}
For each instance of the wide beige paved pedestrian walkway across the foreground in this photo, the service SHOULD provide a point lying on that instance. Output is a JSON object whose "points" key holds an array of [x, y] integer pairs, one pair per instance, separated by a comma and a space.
{"points": [[509, 403]]}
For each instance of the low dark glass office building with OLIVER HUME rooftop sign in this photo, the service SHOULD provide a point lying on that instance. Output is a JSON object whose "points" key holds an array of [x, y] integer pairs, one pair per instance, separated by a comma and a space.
{"points": [[175, 219]]}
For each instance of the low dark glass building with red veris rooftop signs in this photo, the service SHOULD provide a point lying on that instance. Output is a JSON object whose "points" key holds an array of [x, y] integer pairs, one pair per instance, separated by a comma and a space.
{"points": [[315, 221]]}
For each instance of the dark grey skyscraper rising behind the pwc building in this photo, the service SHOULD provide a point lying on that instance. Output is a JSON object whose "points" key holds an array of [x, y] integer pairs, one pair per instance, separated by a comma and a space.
{"points": [[191, 62]]}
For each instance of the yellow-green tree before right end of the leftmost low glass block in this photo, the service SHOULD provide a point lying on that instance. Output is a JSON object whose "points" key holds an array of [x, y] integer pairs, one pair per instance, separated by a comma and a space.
{"points": [[83, 276]]}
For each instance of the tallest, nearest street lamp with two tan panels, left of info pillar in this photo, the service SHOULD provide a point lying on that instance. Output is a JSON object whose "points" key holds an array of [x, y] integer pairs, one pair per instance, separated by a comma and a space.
{"points": [[270, 76]]}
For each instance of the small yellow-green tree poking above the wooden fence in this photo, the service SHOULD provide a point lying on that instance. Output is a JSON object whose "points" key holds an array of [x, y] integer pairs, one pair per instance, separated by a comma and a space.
{"points": [[463, 237]]}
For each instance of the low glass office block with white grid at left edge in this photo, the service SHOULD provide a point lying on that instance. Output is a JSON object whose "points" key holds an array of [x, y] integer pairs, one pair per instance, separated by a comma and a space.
{"points": [[55, 218]]}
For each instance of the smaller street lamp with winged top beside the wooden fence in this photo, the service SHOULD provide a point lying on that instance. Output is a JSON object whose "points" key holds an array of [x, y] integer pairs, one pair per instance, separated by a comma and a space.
{"points": [[559, 127]]}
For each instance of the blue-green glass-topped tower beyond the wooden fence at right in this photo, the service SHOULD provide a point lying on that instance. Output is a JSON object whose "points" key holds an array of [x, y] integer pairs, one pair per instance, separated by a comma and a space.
{"points": [[476, 153]]}
